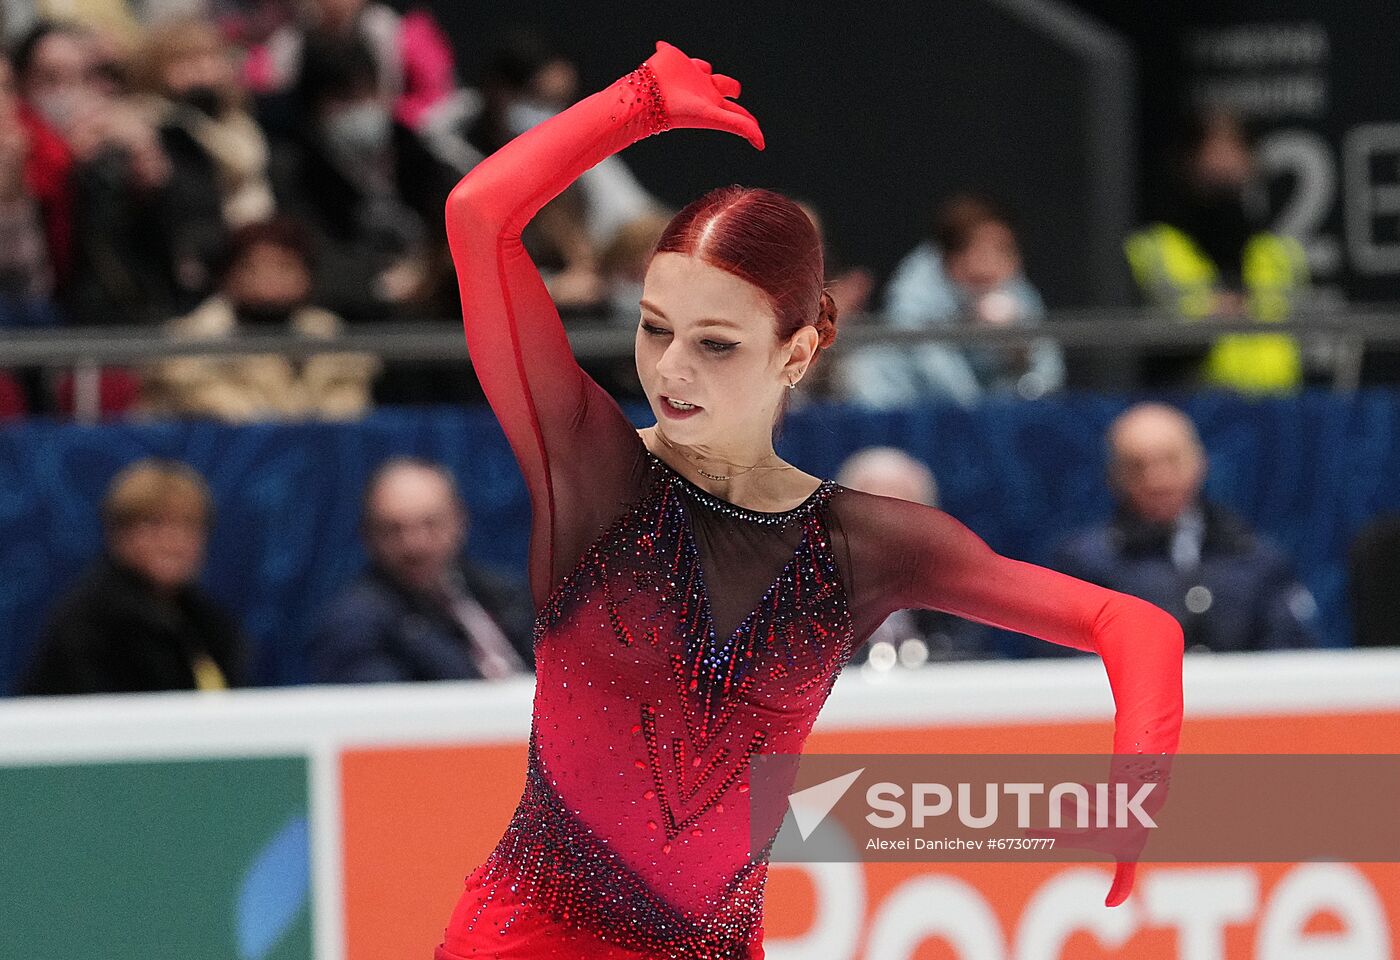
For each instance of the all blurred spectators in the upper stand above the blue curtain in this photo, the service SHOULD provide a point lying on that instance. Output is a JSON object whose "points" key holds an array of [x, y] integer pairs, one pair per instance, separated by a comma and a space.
{"points": [[282, 166]]}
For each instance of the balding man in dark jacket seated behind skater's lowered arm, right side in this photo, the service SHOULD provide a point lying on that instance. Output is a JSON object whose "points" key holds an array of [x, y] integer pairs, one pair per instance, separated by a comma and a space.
{"points": [[1231, 588]]}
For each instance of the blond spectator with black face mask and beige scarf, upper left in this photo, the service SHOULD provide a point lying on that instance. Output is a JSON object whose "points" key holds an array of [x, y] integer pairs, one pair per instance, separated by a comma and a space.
{"points": [[218, 155]]}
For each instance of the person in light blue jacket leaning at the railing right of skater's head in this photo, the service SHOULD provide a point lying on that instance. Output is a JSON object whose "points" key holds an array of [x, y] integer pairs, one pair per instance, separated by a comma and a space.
{"points": [[969, 272]]}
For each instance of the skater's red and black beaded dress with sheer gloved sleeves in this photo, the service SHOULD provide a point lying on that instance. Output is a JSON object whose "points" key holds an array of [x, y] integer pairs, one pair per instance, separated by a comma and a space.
{"points": [[680, 635]]}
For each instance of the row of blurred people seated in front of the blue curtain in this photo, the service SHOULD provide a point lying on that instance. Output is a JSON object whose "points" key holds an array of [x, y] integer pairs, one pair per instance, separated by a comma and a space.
{"points": [[419, 611]]}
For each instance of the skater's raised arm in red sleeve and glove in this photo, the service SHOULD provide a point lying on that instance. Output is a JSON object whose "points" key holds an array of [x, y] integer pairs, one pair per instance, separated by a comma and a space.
{"points": [[568, 435]]}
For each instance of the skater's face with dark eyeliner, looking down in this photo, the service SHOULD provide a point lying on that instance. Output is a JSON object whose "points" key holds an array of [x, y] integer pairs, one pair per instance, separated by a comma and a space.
{"points": [[709, 339]]}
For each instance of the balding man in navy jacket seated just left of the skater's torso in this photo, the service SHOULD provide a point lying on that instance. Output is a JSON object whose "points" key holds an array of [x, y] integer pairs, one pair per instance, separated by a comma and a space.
{"points": [[419, 612]]}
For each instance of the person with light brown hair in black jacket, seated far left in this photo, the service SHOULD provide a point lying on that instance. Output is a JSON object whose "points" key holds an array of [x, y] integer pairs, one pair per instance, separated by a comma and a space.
{"points": [[139, 622]]}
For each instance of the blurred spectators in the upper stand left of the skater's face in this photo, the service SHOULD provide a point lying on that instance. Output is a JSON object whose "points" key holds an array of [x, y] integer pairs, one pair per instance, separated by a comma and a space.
{"points": [[285, 170]]}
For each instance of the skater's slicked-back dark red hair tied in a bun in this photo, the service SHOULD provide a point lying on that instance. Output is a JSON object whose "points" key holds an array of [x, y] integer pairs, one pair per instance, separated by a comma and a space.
{"points": [[766, 240]]}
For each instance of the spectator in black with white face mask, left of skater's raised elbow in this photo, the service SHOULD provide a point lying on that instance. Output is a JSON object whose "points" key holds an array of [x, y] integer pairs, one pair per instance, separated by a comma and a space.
{"points": [[365, 185]]}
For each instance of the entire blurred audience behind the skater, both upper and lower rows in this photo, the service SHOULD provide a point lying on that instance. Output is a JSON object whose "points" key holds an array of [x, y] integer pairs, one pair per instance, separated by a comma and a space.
{"points": [[223, 171]]}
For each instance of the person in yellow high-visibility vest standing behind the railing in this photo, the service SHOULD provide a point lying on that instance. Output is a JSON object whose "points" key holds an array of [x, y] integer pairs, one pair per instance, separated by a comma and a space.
{"points": [[1210, 258]]}
